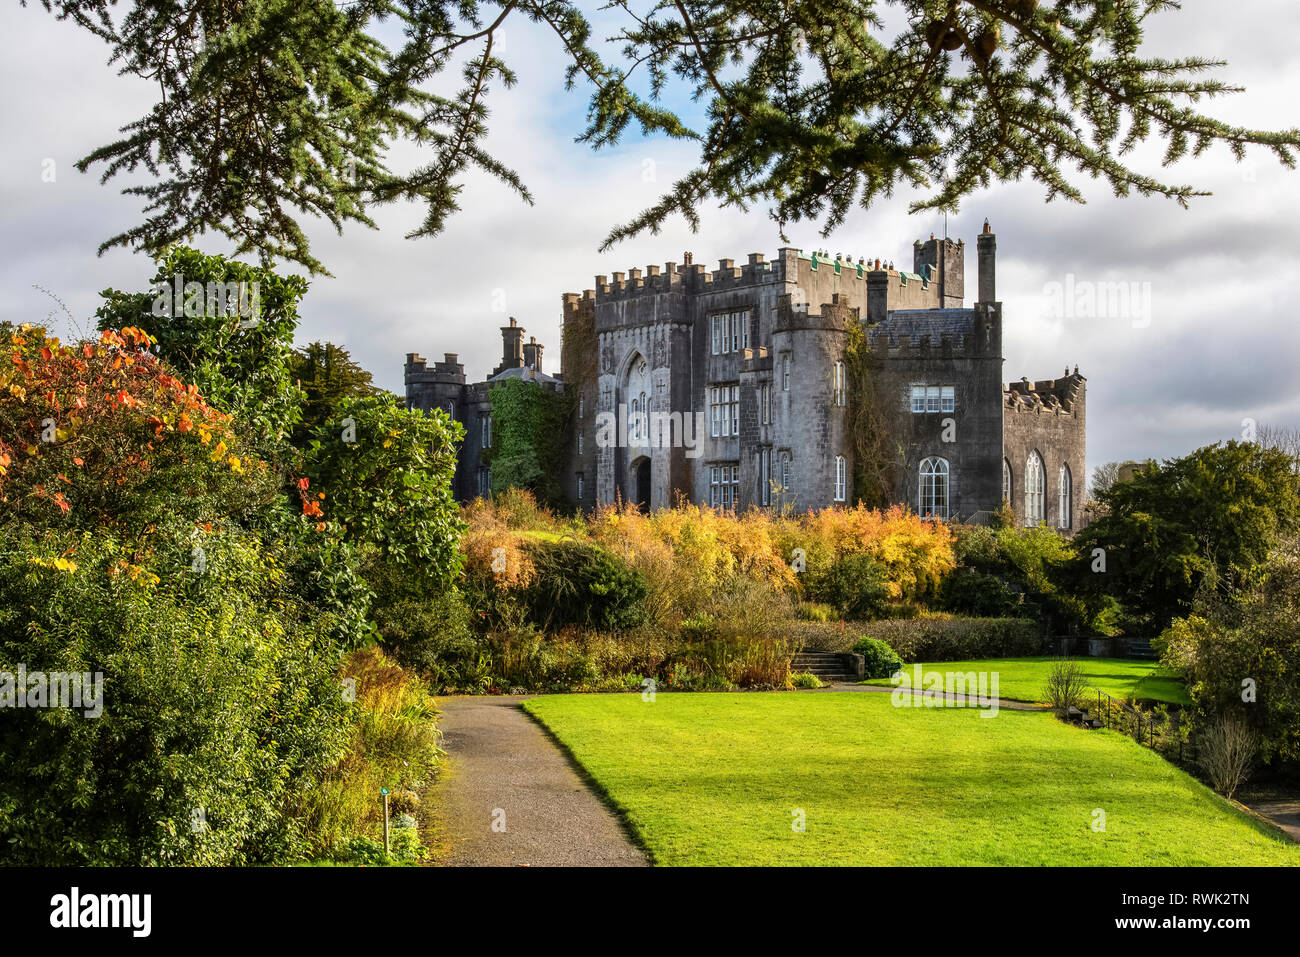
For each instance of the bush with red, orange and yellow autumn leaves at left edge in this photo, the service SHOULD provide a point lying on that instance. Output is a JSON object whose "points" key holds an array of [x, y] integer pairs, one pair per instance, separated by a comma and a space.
{"points": [[102, 435]]}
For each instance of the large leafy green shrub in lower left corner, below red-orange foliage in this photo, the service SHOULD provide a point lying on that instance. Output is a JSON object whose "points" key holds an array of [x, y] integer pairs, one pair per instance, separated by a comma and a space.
{"points": [[222, 704]]}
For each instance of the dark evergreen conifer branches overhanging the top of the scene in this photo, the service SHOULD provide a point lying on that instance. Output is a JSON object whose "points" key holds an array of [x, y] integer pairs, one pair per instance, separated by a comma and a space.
{"points": [[280, 109]]}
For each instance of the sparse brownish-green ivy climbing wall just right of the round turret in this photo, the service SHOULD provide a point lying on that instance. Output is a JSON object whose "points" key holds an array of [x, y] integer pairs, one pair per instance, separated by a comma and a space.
{"points": [[877, 454]]}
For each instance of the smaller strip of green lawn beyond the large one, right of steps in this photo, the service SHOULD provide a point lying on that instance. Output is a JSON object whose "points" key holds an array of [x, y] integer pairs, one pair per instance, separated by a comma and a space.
{"points": [[1024, 679]]}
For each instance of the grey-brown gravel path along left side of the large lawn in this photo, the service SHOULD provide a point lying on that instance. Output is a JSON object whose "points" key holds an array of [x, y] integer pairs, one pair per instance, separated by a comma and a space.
{"points": [[509, 796]]}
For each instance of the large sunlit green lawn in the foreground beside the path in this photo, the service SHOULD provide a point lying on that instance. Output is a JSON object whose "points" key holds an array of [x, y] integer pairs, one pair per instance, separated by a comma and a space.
{"points": [[716, 780]]}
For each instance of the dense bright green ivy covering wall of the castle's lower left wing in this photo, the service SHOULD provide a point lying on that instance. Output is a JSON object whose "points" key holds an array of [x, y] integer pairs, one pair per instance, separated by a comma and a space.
{"points": [[530, 440]]}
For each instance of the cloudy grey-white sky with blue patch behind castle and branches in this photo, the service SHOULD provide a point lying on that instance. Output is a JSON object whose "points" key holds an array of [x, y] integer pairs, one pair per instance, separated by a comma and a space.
{"points": [[1211, 336]]}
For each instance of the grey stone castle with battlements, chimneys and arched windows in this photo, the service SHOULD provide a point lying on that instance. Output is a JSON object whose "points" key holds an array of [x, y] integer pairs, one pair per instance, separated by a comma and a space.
{"points": [[734, 388]]}
